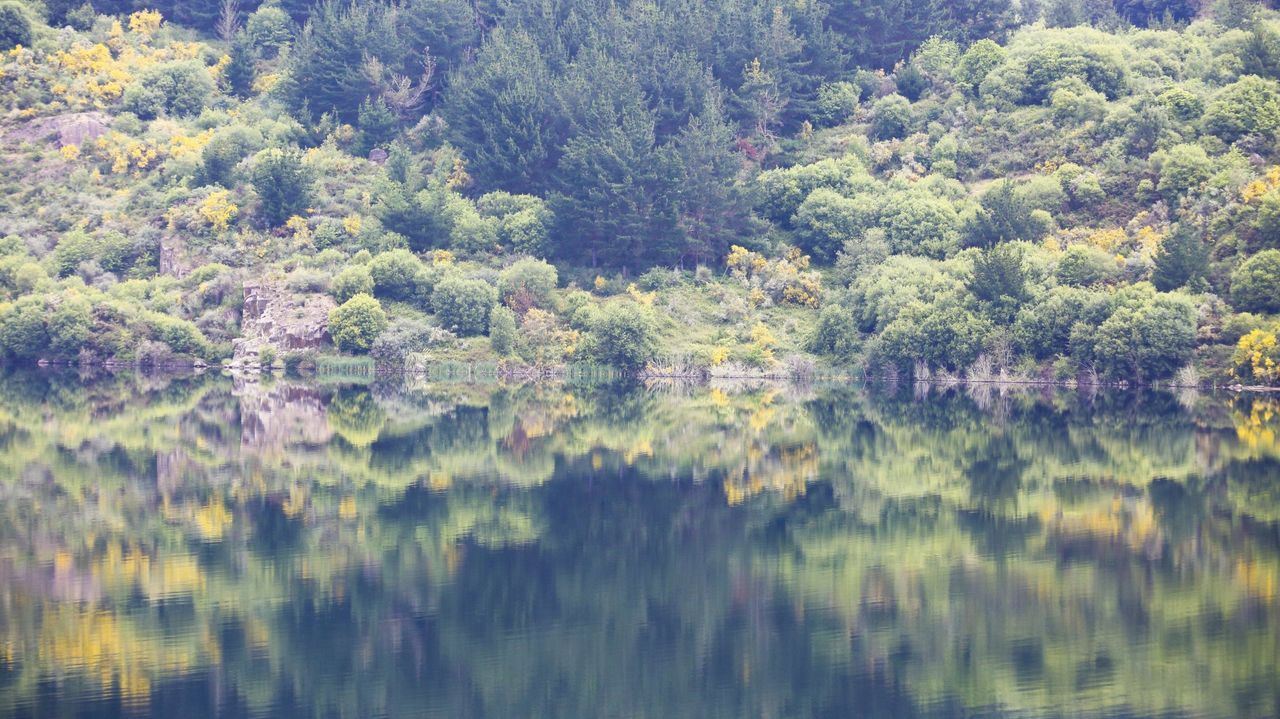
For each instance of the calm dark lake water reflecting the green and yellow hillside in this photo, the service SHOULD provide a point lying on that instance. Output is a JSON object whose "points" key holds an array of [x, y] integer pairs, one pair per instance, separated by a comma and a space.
{"points": [[212, 548]]}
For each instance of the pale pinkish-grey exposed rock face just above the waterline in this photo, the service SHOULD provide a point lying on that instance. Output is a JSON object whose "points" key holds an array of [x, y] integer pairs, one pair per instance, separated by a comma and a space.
{"points": [[273, 317]]}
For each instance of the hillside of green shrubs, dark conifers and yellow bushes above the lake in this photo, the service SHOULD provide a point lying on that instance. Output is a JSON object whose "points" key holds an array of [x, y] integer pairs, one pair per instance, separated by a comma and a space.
{"points": [[1060, 190]]}
